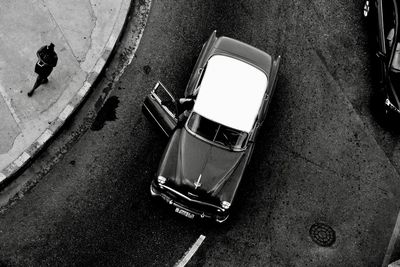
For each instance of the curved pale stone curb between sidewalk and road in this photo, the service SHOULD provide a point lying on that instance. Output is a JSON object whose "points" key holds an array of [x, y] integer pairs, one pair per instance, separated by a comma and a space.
{"points": [[33, 150]]}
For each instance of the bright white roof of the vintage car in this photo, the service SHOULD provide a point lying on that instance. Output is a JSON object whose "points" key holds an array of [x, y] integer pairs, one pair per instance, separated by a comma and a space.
{"points": [[231, 92]]}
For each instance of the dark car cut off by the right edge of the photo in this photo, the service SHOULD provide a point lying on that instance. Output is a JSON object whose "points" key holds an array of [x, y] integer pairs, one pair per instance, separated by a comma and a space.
{"points": [[383, 22]]}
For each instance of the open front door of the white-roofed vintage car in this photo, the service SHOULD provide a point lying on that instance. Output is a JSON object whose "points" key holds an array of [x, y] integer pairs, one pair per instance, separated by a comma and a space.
{"points": [[161, 108]]}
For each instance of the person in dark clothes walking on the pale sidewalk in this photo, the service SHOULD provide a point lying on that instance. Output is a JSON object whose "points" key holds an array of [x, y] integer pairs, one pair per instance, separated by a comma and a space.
{"points": [[47, 60]]}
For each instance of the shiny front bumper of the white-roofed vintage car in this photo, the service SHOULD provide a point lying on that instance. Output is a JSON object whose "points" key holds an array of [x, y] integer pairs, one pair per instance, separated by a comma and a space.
{"points": [[156, 191]]}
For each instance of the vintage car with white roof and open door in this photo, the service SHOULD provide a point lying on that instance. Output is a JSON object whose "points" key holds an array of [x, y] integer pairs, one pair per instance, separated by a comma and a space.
{"points": [[232, 84]]}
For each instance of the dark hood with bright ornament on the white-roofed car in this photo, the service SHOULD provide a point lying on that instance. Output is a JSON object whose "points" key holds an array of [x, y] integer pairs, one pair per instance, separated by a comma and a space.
{"points": [[203, 167]]}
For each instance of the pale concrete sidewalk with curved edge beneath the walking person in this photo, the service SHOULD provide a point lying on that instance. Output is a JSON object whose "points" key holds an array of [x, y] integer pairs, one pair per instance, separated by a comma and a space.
{"points": [[84, 34]]}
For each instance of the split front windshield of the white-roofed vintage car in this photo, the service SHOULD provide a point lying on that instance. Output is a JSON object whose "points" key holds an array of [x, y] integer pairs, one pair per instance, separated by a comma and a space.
{"points": [[217, 133]]}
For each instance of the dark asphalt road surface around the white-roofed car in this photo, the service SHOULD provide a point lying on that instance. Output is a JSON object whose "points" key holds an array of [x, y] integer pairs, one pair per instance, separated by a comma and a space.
{"points": [[321, 157]]}
